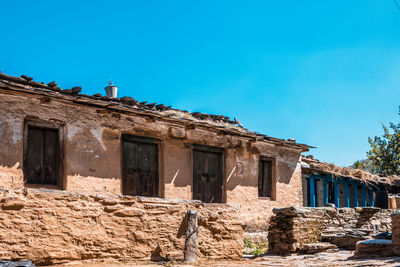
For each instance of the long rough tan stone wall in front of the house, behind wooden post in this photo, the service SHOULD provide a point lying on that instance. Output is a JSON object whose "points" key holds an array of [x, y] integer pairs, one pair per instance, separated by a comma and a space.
{"points": [[51, 226]]}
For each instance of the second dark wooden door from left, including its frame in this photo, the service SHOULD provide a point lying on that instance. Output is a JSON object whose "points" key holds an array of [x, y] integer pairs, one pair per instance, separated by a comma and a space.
{"points": [[139, 166]]}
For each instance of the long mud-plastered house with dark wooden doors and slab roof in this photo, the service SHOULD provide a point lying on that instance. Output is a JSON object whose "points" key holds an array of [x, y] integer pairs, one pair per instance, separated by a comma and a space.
{"points": [[66, 140]]}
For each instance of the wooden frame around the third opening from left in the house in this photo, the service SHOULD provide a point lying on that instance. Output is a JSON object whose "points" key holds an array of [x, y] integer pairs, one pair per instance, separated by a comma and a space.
{"points": [[213, 149]]}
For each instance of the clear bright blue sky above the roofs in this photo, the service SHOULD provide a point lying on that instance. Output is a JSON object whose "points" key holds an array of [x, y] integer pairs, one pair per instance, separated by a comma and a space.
{"points": [[323, 72]]}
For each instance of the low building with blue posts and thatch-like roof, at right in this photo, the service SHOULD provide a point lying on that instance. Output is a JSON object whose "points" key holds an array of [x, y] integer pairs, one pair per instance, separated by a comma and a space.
{"points": [[343, 187]]}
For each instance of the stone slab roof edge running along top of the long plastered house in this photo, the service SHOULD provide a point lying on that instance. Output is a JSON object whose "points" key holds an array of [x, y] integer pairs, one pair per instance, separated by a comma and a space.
{"points": [[129, 104]]}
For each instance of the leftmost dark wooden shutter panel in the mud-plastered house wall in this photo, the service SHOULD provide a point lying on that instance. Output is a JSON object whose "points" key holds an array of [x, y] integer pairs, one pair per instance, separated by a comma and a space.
{"points": [[41, 161]]}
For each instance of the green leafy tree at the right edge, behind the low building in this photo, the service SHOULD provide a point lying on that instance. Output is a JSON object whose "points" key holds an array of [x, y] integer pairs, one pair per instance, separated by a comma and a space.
{"points": [[384, 155]]}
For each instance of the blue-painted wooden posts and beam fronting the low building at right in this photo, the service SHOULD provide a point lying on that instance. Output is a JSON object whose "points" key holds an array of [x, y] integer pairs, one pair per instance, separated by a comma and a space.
{"points": [[335, 181]]}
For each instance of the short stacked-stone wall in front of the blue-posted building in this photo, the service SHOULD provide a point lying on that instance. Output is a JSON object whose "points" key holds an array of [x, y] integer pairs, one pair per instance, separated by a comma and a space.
{"points": [[290, 228]]}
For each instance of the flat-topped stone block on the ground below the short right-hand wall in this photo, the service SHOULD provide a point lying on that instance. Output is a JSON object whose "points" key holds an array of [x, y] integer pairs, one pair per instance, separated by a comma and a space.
{"points": [[374, 248]]}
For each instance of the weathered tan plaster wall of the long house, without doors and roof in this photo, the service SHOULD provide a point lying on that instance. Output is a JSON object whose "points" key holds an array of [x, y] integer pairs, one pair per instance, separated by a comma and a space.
{"points": [[93, 155]]}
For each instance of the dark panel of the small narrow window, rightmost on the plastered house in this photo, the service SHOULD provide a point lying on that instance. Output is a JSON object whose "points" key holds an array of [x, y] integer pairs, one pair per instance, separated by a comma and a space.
{"points": [[265, 178]]}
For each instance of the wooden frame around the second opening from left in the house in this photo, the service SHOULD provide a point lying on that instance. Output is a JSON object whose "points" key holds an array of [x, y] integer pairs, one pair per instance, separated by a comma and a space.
{"points": [[143, 139]]}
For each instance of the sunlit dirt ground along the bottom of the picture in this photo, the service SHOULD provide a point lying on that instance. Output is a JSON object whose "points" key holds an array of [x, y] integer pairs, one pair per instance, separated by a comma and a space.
{"points": [[341, 258]]}
